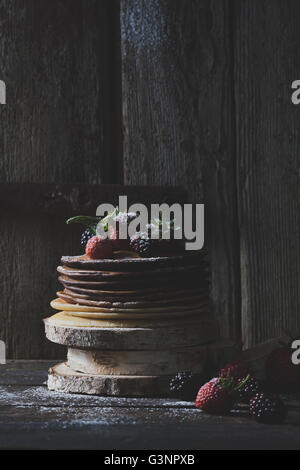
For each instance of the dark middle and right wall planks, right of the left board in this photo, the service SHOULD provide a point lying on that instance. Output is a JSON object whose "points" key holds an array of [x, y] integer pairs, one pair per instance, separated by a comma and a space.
{"points": [[206, 103]]}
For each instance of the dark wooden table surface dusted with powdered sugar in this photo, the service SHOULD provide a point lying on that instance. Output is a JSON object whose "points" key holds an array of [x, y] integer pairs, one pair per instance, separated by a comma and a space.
{"points": [[31, 417]]}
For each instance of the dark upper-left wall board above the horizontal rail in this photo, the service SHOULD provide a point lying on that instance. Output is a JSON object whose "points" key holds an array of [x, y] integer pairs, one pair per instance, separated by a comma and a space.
{"points": [[56, 59]]}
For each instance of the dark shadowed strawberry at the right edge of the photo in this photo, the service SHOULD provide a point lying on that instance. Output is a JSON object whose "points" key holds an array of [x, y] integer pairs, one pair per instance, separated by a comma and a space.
{"points": [[280, 372]]}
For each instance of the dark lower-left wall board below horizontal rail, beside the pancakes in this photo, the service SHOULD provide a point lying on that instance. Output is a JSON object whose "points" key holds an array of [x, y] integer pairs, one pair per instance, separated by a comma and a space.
{"points": [[30, 252]]}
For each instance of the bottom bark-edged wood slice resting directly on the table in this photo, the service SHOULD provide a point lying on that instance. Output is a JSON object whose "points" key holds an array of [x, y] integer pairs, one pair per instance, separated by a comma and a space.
{"points": [[62, 378]]}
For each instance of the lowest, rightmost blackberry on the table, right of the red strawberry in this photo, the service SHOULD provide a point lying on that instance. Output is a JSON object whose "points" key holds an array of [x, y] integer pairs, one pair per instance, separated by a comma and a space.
{"points": [[267, 408]]}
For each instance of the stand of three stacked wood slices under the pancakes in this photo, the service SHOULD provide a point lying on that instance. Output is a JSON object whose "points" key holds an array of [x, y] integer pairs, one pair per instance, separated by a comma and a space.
{"points": [[131, 361]]}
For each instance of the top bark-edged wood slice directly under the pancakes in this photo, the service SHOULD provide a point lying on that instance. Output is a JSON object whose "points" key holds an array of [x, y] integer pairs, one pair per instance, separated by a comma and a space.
{"points": [[115, 338]]}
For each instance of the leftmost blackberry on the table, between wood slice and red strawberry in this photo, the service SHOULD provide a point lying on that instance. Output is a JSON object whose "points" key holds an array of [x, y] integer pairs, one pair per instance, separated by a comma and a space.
{"points": [[185, 385]]}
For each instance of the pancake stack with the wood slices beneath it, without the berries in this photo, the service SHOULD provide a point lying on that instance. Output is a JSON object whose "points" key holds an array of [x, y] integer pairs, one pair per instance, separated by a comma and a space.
{"points": [[130, 323]]}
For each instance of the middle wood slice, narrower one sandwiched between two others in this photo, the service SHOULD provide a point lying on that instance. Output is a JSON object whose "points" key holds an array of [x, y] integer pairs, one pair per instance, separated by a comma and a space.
{"points": [[138, 362]]}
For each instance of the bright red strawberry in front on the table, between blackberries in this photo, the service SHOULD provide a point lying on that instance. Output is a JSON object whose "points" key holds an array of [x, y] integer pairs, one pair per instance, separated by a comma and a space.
{"points": [[218, 395]]}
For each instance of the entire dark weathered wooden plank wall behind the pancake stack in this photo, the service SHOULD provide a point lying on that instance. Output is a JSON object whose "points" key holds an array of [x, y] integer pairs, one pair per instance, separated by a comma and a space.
{"points": [[192, 93]]}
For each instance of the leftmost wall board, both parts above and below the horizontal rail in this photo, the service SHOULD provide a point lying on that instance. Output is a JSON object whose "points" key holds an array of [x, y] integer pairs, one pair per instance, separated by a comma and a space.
{"points": [[61, 124]]}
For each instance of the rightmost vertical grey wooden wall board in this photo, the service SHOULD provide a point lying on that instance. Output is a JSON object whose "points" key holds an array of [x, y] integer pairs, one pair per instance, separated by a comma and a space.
{"points": [[267, 60]]}
